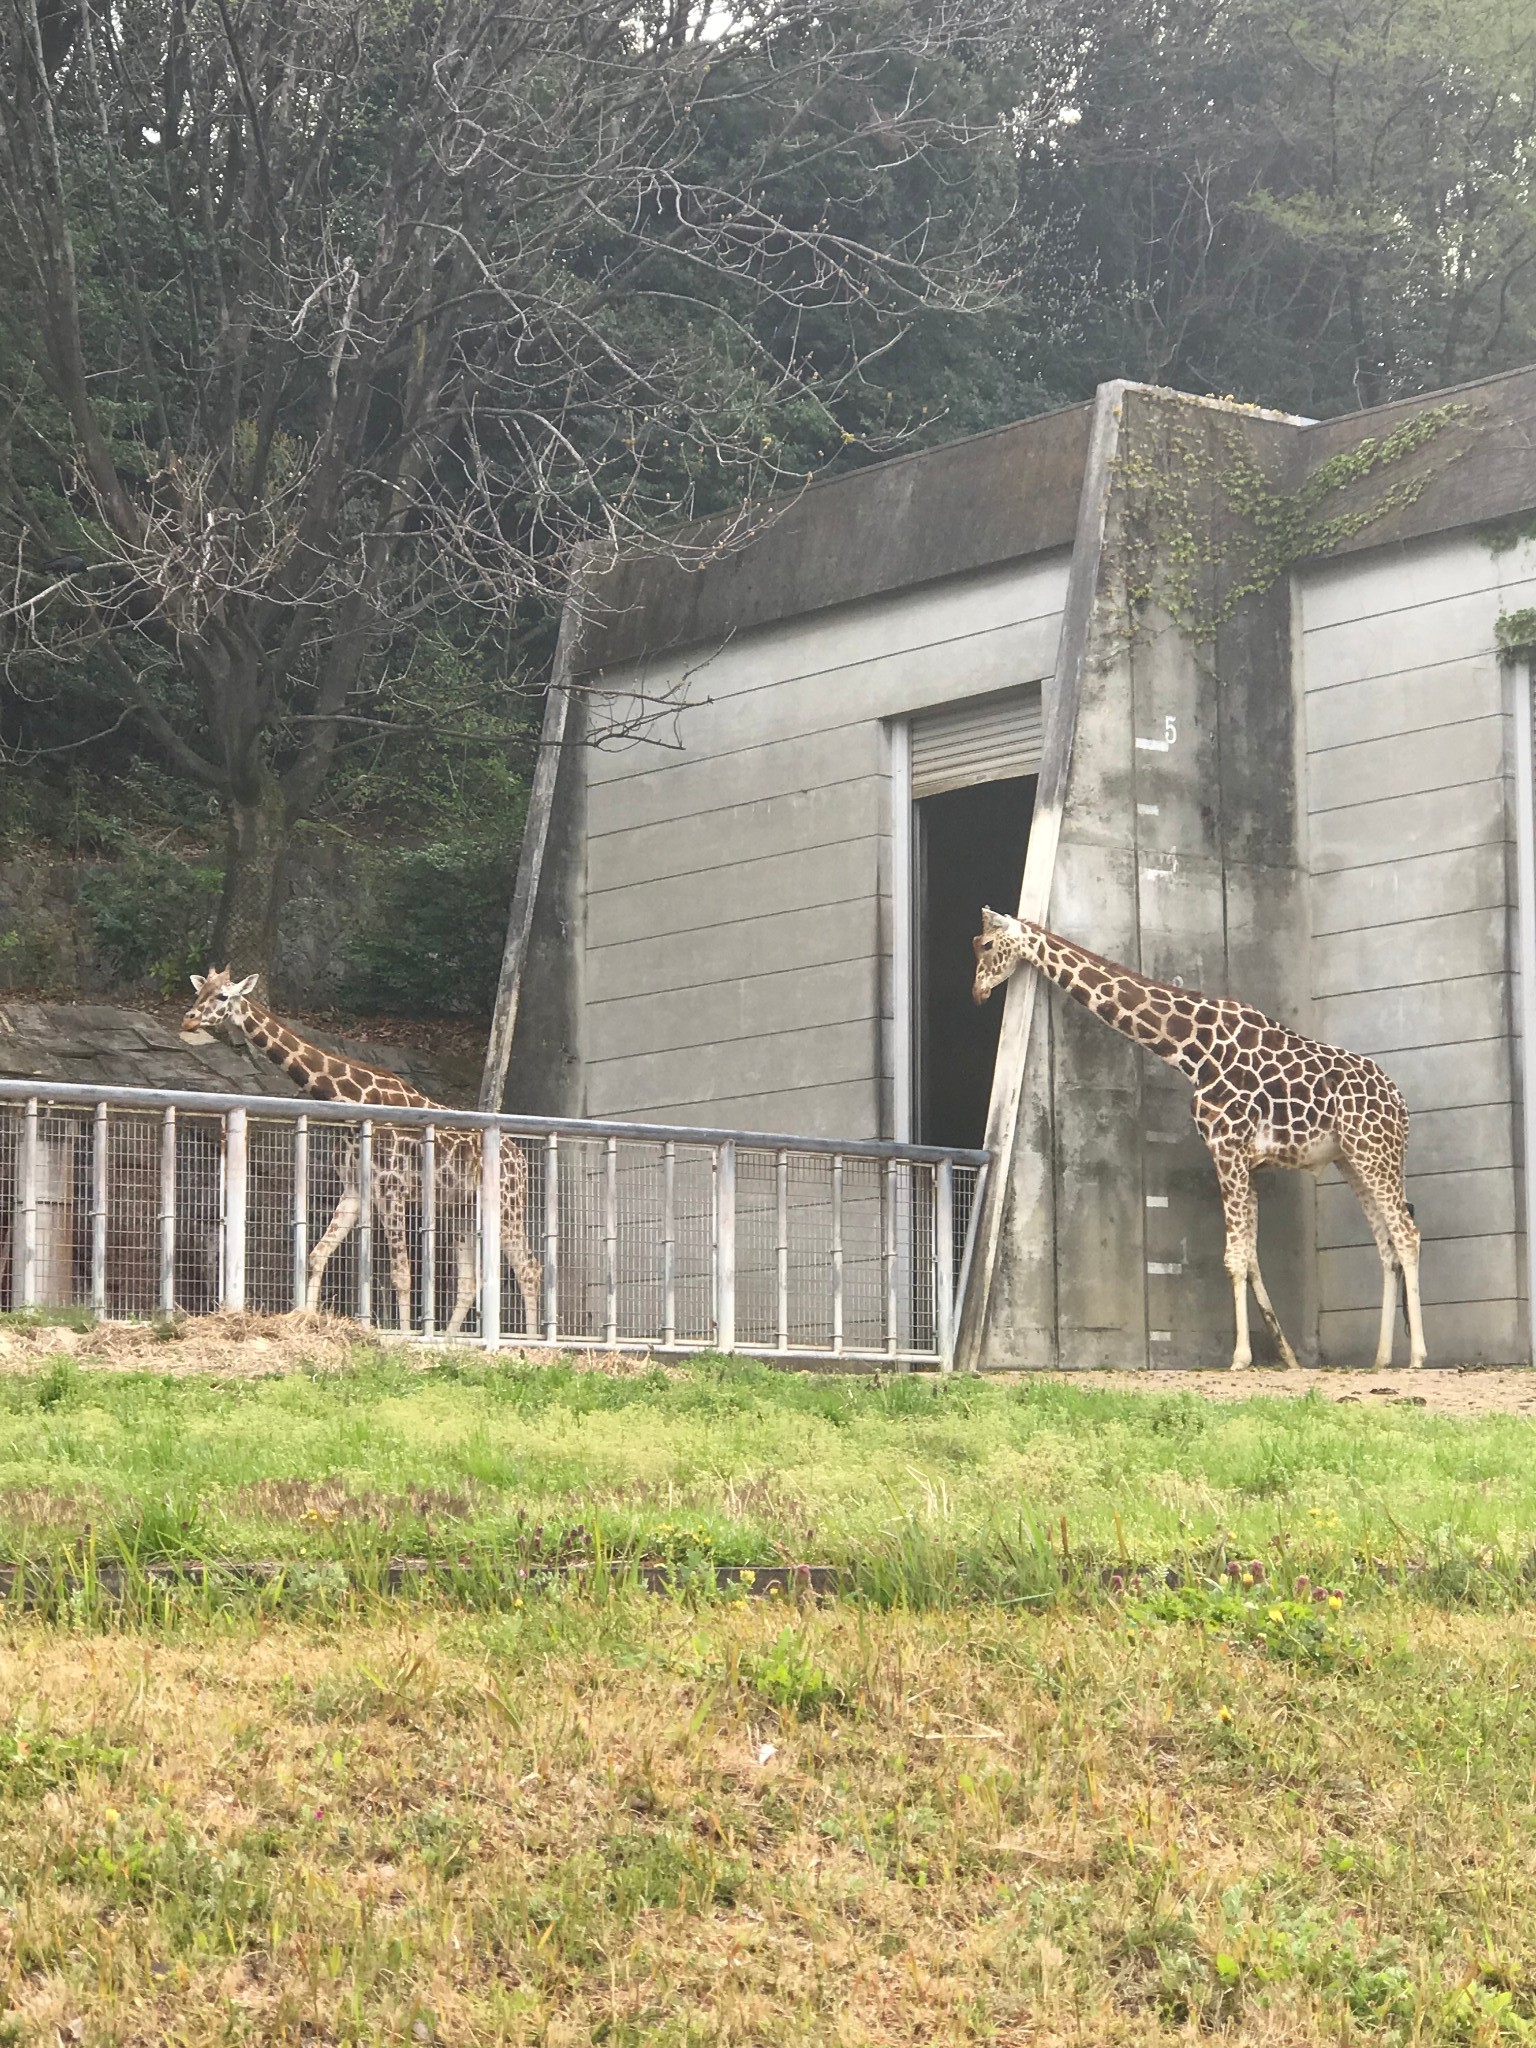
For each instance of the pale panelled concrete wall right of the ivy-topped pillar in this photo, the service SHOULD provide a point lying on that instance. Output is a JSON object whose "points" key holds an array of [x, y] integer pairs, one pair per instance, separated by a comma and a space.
{"points": [[1412, 847]]}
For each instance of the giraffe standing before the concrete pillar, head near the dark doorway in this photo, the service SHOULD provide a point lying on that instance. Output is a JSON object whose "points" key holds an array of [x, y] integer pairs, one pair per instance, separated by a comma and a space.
{"points": [[1263, 1097]]}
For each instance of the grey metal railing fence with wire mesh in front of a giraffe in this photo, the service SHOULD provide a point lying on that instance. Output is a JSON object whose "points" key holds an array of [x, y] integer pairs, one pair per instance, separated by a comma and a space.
{"points": [[450, 1224]]}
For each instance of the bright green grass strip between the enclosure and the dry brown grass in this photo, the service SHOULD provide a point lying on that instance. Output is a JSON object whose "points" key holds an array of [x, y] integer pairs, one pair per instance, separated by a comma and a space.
{"points": [[933, 1490]]}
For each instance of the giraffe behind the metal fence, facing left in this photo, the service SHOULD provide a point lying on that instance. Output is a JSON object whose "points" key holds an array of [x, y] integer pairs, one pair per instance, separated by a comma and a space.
{"points": [[226, 1009]]}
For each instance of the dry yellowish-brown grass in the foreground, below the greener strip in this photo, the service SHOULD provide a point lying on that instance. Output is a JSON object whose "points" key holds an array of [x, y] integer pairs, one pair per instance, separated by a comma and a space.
{"points": [[609, 1824]]}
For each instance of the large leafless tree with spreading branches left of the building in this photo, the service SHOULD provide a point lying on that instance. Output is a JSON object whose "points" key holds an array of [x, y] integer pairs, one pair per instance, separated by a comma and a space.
{"points": [[331, 323]]}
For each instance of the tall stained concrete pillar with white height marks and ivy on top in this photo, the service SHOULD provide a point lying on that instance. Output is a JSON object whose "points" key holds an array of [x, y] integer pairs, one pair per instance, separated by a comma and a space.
{"points": [[1181, 857]]}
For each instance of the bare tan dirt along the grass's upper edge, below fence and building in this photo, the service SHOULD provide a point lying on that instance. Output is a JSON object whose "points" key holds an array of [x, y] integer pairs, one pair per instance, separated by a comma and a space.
{"points": [[251, 1347]]}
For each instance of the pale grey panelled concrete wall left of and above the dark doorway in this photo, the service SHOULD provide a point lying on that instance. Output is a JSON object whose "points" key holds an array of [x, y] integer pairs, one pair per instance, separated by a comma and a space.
{"points": [[736, 871]]}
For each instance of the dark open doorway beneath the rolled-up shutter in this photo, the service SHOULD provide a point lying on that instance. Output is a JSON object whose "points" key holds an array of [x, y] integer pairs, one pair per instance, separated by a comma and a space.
{"points": [[970, 851]]}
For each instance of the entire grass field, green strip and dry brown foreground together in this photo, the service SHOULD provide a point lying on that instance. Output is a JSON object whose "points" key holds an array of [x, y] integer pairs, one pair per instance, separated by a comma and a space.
{"points": [[1002, 1795]]}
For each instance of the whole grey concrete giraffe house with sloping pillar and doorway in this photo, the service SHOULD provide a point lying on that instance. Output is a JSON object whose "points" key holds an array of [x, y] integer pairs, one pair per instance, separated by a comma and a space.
{"points": [[1220, 693]]}
